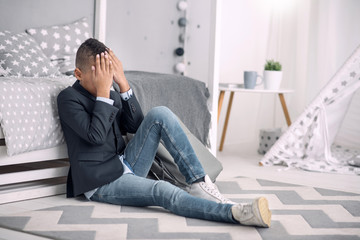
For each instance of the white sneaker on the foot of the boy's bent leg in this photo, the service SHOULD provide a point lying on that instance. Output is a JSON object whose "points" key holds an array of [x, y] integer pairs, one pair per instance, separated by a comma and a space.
{"points": [[208, 190]]}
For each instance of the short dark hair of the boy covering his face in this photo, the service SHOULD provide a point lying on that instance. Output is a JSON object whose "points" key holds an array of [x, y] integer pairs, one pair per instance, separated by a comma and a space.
{"points": [[90, 48]]}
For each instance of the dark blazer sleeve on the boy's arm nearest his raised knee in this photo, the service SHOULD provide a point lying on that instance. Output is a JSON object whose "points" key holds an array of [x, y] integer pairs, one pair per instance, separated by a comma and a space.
{"points": [[132, 115]]}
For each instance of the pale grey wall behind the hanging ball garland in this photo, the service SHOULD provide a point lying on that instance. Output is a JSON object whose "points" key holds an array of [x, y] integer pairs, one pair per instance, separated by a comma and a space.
{"points": [[146, 33]]}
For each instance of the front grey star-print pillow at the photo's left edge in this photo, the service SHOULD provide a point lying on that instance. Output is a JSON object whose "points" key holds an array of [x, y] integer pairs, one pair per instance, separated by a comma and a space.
{"points": [[20, 56]]}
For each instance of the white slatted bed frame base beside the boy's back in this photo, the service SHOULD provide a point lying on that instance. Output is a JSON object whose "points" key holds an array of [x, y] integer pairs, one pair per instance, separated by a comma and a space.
{"points": [[32, 175]]}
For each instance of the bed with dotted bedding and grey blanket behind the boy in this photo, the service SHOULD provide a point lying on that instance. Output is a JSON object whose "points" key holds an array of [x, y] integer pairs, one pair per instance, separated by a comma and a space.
{"points": [[33, 162]]}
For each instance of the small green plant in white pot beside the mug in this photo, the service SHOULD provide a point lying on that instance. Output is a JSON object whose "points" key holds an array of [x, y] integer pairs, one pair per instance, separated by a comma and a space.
{"points": [[272, 75]]}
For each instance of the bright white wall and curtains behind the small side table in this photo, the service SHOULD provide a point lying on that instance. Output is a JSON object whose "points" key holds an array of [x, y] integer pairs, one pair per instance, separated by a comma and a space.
{"points": [[312, 38]]}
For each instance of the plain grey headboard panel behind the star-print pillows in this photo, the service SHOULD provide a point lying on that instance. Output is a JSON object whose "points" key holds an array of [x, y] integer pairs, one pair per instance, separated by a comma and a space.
{"points": [[18, 15]]}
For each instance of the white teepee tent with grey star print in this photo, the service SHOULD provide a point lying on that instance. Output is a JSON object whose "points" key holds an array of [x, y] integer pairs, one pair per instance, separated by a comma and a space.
{"points": [[327, 134]]}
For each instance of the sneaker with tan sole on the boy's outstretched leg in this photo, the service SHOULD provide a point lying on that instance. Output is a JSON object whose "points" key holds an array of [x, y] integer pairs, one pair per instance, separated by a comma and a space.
{"points": [[255, 214]]}
